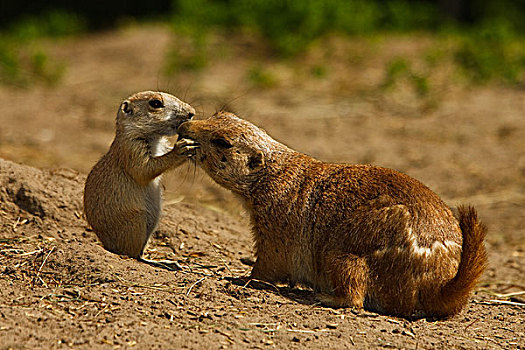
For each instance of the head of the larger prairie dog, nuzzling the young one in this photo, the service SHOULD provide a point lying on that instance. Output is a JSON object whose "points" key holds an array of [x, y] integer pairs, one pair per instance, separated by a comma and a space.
{"points": [[232, 151]]}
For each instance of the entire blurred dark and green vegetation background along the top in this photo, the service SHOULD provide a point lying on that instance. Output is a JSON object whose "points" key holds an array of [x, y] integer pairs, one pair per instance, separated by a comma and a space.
{"points": [[486, 36]]}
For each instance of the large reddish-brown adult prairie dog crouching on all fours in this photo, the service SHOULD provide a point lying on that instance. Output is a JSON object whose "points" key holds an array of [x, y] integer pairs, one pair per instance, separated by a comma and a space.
{"points": [[359, 235]]}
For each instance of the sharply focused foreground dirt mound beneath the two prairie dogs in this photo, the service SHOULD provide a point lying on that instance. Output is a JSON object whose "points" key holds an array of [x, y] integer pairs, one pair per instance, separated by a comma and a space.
{"points": [[60, 289]]}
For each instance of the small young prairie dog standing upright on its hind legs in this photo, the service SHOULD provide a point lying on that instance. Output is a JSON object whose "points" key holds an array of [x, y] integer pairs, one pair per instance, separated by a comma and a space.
{"points": [[122, 196]]}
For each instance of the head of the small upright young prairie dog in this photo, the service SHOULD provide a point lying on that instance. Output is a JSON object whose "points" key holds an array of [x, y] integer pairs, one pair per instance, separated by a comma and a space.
{"points": [[151, 113]]}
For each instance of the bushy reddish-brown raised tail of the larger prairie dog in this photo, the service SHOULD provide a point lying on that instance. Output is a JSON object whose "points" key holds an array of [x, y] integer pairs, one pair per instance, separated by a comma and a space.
{"points": [[453, 296]]}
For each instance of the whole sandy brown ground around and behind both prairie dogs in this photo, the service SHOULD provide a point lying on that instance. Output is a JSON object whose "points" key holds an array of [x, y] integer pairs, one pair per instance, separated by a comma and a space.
{"points": [[60, 289]]}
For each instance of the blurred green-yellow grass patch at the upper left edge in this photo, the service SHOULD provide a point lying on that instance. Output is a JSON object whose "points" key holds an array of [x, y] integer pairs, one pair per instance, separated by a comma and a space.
{"points": [[22, 60]]}
